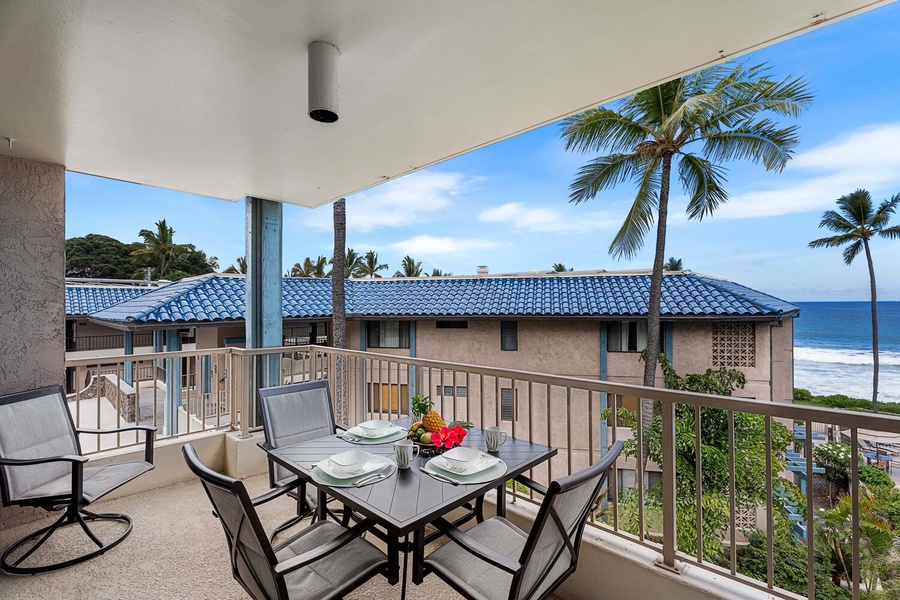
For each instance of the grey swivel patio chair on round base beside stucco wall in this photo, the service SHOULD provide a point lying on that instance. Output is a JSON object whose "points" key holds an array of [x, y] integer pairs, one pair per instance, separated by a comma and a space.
{"points": [[41, 465]]}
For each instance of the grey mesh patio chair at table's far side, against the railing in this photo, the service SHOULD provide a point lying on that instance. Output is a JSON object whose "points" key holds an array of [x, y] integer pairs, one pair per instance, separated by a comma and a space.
{"points": [[292, 414]]}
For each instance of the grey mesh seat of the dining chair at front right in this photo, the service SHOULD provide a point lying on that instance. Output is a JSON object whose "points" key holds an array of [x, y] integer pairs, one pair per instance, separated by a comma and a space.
{"points": [[478, 578]]}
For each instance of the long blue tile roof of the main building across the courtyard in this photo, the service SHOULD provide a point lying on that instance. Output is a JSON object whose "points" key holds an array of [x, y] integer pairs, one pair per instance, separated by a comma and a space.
{"points": [[212, 298]]}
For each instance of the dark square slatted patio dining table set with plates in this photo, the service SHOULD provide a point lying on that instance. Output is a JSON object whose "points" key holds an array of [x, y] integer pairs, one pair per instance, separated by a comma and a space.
{"points": [[409, 499]]}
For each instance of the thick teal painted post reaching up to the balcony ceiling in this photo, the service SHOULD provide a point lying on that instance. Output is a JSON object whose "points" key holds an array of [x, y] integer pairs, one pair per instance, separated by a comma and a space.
{"points": [[263, 318]]}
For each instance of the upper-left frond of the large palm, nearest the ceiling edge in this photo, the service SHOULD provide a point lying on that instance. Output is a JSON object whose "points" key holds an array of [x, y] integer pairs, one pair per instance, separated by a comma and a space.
{"points": [[601, 128]]}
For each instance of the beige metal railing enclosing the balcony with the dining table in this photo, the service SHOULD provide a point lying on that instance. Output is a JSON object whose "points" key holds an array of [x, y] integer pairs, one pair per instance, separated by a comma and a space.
{"points": [[578, 416]]}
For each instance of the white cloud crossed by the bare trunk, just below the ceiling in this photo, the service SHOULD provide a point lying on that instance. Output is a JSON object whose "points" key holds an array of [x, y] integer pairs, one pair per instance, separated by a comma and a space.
{"points": [[412, 199]]}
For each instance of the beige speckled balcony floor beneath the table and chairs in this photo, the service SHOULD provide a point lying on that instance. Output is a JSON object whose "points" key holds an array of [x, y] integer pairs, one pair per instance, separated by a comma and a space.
{"points": [[177, 550]]}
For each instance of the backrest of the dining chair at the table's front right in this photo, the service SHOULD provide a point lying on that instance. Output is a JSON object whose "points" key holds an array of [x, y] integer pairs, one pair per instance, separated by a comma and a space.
{"points": [[551, 552]]}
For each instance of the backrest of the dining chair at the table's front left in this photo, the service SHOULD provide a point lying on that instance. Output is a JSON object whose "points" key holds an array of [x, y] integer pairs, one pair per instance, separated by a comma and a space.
{"points": [[251, 554]]}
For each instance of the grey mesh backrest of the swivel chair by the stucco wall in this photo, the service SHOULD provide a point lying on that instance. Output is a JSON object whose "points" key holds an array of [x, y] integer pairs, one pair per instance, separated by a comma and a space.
{"points": [[35, 424]]}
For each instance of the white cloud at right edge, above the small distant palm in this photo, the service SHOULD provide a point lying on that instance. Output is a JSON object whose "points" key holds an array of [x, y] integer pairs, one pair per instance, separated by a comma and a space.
{"points": [[868, 158]]}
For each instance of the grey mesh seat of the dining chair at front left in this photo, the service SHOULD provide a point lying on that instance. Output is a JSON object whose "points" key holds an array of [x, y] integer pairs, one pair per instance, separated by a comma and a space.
{"points": [[334, 575]]}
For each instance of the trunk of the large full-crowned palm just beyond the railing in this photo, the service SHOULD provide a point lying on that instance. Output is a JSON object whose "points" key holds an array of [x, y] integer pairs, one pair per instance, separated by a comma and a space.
{"points": [[655, 298]]}
